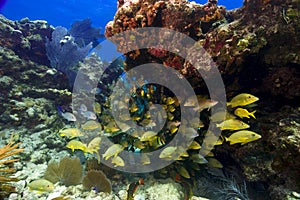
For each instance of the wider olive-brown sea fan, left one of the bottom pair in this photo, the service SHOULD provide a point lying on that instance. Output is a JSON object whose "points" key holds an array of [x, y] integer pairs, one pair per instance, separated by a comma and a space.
{"points": [[68, 171]]}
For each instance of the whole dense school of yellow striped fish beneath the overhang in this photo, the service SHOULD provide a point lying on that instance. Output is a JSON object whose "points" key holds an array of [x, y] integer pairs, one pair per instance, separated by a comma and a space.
{"points": [[233, 130]]}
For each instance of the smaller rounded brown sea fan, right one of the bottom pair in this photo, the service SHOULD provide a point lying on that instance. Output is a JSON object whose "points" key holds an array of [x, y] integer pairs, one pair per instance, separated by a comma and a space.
{"points": [[96, 180]]}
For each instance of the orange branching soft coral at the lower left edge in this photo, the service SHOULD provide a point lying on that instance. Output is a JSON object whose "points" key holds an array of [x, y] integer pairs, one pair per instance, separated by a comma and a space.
{"points": [[6, 169]]}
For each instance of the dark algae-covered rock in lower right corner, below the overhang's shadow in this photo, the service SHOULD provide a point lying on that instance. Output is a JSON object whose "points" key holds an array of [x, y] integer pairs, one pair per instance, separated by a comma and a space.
{"points": [[275, 159]]}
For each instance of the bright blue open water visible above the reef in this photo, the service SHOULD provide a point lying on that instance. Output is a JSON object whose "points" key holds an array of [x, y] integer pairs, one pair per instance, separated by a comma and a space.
{"points": [[65, 12]]}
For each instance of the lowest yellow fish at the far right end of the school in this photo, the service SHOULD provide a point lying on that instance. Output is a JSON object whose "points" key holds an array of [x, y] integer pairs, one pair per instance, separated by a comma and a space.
{"points": [[242, 137]]}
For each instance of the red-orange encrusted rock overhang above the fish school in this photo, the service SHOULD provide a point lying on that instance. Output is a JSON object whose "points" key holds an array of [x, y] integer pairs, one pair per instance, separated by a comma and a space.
{"points": [[247, 43]]}
